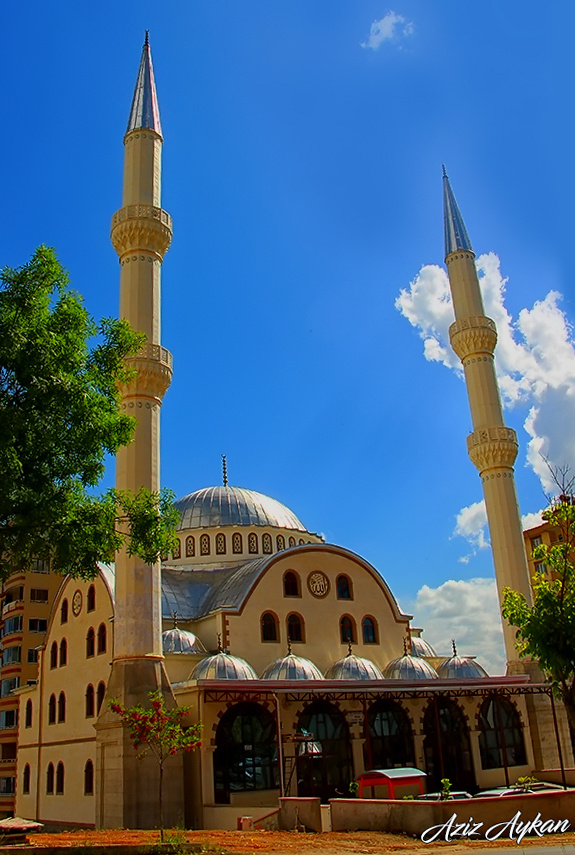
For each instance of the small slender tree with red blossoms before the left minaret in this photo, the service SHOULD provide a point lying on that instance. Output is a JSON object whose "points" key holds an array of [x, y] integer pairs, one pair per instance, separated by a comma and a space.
{"points": [[160, 731]]}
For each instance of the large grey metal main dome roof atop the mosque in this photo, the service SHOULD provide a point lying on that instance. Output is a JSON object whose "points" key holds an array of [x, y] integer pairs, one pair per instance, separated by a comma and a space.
{"points": [[219, 506]]}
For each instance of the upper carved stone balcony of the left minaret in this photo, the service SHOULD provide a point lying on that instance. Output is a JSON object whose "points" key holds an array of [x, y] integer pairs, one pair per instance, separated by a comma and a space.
{"points": [[141, 228]]}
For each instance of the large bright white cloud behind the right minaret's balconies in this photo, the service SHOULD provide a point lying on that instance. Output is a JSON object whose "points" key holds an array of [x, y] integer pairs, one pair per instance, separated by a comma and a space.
{"points": [[534, 358]]}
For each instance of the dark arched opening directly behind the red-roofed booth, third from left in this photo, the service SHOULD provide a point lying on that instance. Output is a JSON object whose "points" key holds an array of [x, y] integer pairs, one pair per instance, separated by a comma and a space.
{"points": [[389, 741]]}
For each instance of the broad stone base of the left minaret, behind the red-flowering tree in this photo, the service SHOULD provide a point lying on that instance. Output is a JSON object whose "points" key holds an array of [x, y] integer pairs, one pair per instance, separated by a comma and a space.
{"points": [[127, 795]]}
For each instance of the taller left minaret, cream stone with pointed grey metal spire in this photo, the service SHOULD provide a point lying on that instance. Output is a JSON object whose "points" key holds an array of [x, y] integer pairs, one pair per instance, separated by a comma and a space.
{"points": [[141, 234]]}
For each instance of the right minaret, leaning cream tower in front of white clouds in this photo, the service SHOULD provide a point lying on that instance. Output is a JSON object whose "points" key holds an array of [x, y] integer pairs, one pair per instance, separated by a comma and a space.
{"points": [[492, 446]]}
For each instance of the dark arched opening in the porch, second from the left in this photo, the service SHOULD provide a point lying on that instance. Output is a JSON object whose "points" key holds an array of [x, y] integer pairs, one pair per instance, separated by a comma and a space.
{"points": [[324, 764]]}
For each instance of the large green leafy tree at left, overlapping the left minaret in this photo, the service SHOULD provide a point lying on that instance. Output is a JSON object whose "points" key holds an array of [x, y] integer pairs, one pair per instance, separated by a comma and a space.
{"points": [[59, 418]]}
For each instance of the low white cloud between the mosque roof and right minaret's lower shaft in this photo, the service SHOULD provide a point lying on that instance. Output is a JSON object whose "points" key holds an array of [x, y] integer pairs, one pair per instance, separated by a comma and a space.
{"points": [[468, 611]]}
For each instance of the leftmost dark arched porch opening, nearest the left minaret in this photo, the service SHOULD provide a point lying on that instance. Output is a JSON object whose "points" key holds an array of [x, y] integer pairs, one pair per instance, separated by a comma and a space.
{"points": [[246, 752]]}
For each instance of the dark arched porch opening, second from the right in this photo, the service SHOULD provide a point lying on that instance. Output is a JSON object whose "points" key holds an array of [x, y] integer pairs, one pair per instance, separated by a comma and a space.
{"points": [[446, 746]]}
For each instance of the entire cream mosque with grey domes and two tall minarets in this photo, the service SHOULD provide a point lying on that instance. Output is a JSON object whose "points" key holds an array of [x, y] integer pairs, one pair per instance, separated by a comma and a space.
{"points": [[292, 652]]}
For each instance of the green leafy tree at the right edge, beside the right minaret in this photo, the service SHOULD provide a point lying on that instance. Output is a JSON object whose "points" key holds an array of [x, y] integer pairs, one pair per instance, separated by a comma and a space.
{"points": [[546, 630]]}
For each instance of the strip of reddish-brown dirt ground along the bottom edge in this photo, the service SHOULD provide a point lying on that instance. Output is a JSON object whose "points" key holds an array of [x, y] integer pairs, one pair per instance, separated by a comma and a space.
{"points": [[288, 842]]}
